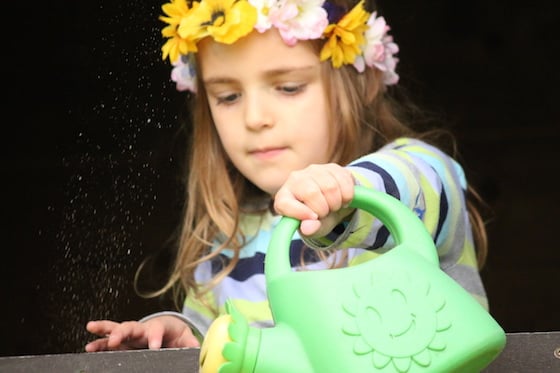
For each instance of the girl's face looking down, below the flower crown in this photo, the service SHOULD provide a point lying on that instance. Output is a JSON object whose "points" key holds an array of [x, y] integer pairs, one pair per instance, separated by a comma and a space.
{"points": [[269, 105]]}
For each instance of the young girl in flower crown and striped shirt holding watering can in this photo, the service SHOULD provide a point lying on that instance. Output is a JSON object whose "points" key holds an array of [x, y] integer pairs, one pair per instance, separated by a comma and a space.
{"points": [[291, 110]]}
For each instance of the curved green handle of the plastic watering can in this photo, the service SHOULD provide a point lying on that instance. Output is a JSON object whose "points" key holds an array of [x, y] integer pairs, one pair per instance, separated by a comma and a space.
{"points": [[405, 227]]}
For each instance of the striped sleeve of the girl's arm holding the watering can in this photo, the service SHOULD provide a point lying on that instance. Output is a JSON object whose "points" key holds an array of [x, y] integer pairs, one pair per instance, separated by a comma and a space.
{"points": [[423, 178]]}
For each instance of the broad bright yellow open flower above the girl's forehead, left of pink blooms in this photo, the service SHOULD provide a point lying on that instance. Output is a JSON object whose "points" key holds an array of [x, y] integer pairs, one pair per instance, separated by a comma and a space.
{"points": [[226, 21]]}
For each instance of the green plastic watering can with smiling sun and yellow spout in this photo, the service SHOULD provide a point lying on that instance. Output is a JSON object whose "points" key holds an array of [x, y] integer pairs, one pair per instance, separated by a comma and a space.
{"points": [[396, 313]]}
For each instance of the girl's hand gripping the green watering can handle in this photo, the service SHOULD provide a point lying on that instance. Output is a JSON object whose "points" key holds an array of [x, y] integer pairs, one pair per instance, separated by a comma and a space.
{"points": [[317, 195]]}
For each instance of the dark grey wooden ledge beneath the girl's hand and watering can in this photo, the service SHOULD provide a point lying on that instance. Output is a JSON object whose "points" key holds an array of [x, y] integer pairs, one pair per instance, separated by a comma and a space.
{"points": [[524, 353]]}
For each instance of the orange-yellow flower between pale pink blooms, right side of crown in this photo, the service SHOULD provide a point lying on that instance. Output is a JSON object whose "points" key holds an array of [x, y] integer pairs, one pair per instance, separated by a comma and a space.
{"points": [[346, 37]]}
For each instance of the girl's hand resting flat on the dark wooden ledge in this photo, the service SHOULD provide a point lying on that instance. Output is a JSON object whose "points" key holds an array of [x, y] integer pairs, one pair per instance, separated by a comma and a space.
{"points": [[159, 332]]}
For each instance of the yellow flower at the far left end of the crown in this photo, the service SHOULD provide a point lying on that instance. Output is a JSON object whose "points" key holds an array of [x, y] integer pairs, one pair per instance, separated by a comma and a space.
{"points": [[176, 10]]}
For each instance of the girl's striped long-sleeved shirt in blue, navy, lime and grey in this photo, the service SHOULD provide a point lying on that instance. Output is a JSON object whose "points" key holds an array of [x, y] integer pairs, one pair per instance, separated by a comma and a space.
{"points": [[421, 176]]}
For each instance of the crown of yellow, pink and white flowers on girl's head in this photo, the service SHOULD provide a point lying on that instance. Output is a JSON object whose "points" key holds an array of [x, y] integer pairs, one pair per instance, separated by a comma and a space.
{"points": [[356, 37]]}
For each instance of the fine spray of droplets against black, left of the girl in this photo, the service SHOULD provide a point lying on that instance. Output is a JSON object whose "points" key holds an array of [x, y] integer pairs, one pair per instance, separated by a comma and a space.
{"points": [[114, 171]]}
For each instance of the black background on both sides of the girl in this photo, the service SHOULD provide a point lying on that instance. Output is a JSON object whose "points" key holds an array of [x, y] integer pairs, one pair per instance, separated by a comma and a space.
{"points": [[91, 153]]}
